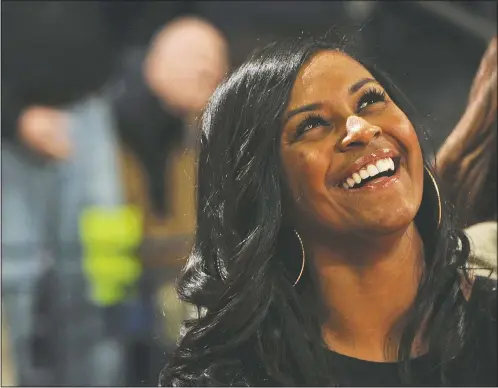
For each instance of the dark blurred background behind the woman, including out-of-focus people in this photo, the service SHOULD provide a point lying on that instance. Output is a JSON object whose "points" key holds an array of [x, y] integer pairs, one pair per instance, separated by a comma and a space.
{"points": [[98, 127]]}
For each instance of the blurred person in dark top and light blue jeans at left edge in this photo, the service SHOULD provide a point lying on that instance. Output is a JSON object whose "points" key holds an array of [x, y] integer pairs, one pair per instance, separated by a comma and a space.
{"points": [[58, 158]]}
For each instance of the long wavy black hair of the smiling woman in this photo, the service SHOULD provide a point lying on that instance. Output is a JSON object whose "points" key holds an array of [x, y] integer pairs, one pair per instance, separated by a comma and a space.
{"points": [[253, 327]]}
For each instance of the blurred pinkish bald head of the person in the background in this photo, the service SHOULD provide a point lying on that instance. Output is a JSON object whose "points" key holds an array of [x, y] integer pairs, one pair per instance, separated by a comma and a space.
{"points": [[187, 60]]}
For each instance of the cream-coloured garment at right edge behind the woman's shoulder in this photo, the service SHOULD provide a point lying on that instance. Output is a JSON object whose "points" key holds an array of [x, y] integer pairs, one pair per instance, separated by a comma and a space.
{"points": [[483, 240]]}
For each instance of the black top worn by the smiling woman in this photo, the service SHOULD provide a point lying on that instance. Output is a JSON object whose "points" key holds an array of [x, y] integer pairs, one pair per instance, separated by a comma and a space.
{"points": [[475, 366]]}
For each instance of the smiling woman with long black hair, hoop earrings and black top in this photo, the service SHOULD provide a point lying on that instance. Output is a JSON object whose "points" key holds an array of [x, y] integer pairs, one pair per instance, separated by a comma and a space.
{"points": [[324, 251]]}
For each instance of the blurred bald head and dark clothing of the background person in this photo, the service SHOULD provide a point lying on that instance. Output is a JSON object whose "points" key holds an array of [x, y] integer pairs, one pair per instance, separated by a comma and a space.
{"points": [[159, 91]]}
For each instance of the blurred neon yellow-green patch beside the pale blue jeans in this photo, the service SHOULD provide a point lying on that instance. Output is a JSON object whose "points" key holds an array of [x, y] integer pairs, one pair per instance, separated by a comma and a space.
{"points": [[110, 238]]}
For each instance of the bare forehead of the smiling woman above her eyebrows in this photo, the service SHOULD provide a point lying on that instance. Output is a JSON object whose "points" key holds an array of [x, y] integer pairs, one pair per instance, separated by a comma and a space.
{"points": [[325, 73]]}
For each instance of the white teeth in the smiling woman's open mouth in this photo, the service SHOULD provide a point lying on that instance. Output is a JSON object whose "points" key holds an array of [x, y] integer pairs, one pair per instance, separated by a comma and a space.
{"points": [[372, 173]]}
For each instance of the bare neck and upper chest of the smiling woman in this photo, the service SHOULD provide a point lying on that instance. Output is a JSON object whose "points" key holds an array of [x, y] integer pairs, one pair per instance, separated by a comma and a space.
{"points": [[366, 288]]}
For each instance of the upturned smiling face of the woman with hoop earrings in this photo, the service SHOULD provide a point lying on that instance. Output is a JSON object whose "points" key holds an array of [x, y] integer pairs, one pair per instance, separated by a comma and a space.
{"points": [[342, 136]]}
